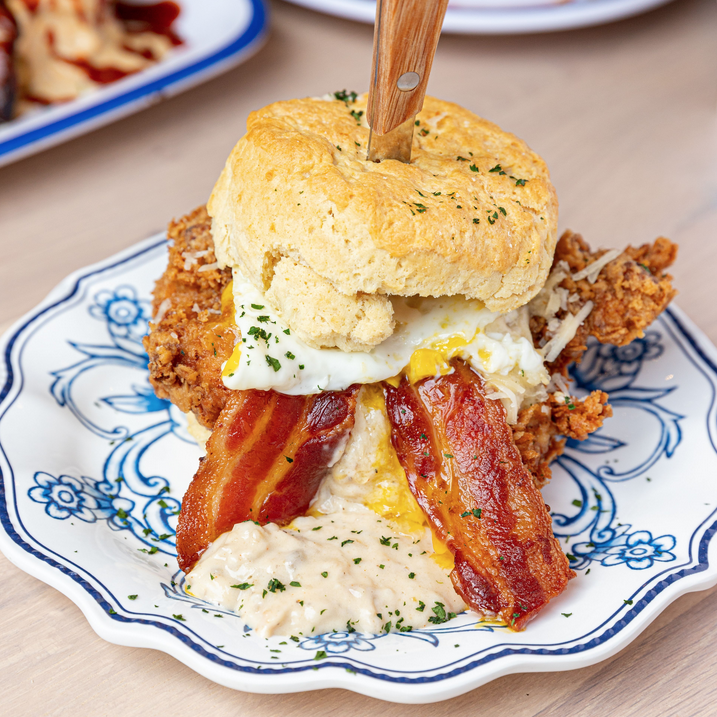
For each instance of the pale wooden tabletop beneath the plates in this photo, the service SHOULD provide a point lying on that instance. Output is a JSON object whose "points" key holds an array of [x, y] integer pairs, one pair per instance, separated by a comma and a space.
{"points": [[626, 117]]}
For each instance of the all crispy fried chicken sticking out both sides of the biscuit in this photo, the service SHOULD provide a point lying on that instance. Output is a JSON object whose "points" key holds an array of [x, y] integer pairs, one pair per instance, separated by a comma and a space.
{"points": [[192, 338]]}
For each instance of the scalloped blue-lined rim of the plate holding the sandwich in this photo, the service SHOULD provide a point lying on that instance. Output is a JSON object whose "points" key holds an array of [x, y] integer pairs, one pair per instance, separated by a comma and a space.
{"points": [[698, 574]]}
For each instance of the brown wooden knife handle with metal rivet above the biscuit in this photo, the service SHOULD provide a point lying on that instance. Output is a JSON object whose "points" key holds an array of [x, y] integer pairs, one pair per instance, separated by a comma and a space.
{"points": [[404, 41]]}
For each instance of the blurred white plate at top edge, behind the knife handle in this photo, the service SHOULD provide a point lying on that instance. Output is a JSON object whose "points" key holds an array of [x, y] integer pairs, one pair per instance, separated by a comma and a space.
{"points": [[501, 17]]}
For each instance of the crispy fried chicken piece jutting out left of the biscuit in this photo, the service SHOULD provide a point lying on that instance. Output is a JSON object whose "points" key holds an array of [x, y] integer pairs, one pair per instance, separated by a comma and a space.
{"points": [[192, 339]]}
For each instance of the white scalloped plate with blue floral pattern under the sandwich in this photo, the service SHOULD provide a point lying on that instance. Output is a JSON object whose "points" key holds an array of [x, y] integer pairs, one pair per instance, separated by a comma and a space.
{"points": [[77, 413]]}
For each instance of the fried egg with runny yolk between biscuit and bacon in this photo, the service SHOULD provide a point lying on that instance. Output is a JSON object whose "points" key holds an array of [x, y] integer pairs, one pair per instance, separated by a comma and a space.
{"points": [[270, 356]]}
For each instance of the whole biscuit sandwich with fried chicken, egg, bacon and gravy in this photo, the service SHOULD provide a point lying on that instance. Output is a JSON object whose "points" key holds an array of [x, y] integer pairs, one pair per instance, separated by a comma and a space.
{"points": [[376, 356]]}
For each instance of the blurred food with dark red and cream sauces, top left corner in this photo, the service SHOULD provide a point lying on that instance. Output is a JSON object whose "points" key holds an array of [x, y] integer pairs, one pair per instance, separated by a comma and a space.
{"points": [[56, 50]]}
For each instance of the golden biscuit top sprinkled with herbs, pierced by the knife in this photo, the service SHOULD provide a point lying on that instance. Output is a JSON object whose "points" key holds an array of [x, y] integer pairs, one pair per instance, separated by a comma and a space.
{"points": [[474, 213]]}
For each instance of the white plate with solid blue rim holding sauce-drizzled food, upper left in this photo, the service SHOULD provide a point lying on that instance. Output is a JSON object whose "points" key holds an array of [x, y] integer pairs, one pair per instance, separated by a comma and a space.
{"points": [[217, 35]]}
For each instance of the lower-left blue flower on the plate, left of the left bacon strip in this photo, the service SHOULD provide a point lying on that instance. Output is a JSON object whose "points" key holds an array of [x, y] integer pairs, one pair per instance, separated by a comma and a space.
{"points": [[66, 496]]}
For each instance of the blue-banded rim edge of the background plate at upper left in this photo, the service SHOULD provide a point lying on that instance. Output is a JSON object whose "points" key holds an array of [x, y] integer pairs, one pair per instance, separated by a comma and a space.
{"points": [[117, 106]]}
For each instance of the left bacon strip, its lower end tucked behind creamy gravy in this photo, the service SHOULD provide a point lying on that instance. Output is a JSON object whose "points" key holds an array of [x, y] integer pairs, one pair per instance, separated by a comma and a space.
{"points": [[265, 460]]}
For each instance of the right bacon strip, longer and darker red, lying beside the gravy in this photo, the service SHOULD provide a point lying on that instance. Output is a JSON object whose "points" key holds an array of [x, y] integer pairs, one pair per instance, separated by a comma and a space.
{"points": [[466, 474]]}
